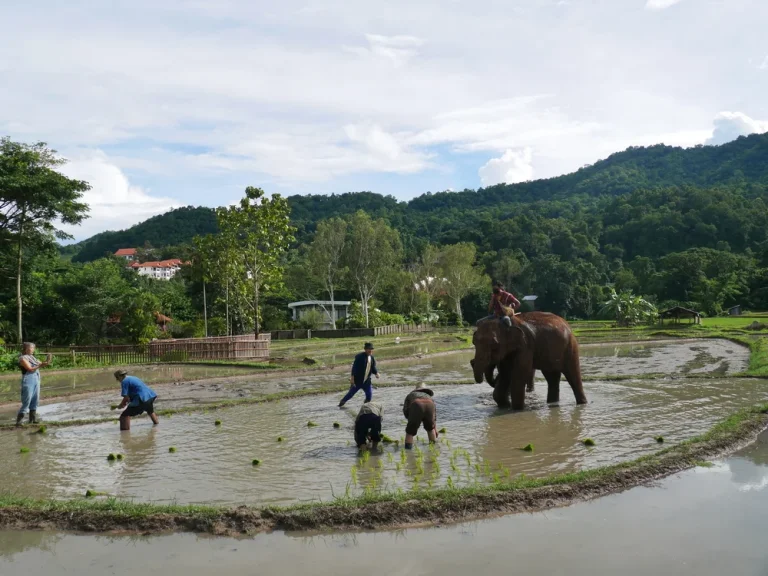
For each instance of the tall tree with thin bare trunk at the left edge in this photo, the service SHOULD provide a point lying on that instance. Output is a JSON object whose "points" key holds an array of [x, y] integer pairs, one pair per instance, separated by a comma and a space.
{"points": [[33, 196]]}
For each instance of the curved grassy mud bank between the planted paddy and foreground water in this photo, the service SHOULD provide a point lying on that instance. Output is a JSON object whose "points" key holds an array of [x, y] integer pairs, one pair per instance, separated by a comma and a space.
{"points": [[385, 509]]}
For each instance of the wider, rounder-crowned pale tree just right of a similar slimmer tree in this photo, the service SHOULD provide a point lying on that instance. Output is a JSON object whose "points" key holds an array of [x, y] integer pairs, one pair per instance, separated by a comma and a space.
{"points": [[373, 249]]}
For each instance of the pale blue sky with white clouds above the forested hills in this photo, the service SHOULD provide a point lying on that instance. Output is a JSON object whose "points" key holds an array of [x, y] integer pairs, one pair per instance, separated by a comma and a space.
{"points": [[166, 103]]}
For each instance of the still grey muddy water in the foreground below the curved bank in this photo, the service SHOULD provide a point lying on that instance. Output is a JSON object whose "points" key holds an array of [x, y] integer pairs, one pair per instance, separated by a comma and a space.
{"points": [[646, 530]]}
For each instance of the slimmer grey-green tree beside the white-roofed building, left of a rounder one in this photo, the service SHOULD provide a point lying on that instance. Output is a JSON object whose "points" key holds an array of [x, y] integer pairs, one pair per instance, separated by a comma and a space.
{"points": [[325, 257]]}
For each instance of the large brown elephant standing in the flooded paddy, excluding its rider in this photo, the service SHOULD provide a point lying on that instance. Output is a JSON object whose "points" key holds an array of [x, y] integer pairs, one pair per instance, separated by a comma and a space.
{"points": [[533, 340]]}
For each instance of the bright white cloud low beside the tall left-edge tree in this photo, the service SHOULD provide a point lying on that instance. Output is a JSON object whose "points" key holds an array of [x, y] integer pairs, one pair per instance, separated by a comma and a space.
{"points": [[114, 202]]}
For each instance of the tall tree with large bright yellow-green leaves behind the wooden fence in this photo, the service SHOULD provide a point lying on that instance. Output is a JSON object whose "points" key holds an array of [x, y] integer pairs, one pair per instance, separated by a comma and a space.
{"points": [[260, 228]]}
